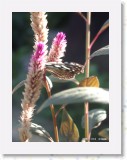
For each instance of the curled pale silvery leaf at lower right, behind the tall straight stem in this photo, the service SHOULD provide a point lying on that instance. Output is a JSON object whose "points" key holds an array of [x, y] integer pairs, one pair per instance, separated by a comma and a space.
{"points": [[96, 116]]}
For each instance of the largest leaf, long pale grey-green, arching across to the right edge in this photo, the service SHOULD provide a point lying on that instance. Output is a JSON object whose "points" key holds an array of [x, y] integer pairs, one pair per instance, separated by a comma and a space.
{"points": [[78, 95]]}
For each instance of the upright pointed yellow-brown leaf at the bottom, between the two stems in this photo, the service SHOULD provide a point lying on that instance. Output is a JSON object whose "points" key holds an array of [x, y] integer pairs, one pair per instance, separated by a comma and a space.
{"points": [[68, 129]]}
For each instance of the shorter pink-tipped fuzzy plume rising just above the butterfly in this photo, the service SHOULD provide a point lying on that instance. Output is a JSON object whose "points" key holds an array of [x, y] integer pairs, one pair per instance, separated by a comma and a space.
{"points": [[58, 48]]}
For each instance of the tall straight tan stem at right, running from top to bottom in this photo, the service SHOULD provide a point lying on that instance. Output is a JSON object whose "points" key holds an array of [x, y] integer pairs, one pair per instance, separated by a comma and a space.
{"points": [[86, 105]]}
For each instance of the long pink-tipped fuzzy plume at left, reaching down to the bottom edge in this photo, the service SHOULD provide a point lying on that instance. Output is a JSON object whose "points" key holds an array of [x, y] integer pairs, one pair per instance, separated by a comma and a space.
{"points": [[32, 90]]}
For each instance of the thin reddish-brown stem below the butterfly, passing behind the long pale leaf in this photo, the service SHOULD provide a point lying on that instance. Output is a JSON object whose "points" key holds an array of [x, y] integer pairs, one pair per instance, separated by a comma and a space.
{"points": [[53, 113]]}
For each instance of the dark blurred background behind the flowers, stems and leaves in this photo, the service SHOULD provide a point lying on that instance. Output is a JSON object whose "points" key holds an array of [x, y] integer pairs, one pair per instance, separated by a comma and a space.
{"points": [[74, 28]]}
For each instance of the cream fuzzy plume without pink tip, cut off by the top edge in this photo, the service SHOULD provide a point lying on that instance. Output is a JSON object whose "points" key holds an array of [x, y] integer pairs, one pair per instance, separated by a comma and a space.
{"points": [[39, 26]]}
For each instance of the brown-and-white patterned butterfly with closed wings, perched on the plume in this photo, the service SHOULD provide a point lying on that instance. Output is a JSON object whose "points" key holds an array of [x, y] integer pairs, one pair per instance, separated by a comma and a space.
{"points": [[64, 70]]}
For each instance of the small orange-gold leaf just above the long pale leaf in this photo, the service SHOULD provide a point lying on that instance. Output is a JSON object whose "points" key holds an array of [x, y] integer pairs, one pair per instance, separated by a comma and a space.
{"points": [[90, 82]]}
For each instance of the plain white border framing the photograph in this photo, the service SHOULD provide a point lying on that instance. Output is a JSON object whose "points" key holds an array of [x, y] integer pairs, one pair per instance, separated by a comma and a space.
{"points": [[112, 147]]}
